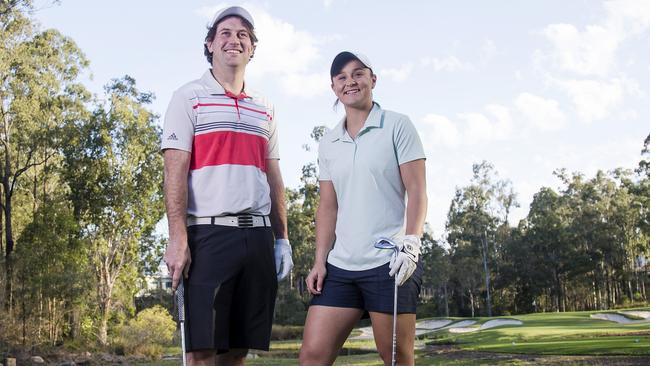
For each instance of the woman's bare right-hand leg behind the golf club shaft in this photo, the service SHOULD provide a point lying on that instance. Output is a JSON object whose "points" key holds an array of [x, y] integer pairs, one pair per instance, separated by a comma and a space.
{"points": [[382, 328]]}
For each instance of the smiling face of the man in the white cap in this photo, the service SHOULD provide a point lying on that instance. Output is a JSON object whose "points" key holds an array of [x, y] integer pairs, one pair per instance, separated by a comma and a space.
{"points": [[232, 45]]}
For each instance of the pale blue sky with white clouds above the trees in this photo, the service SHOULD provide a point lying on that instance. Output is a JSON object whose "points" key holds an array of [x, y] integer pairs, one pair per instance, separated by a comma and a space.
{"points": [[530, 86]]}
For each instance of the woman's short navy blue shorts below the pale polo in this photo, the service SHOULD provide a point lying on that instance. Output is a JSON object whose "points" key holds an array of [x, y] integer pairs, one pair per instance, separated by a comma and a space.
{"points": [[370, 290]]}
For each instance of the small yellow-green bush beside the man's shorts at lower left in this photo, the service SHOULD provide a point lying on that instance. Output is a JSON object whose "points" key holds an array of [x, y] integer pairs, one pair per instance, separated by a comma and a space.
{"points": [[147, 333]]}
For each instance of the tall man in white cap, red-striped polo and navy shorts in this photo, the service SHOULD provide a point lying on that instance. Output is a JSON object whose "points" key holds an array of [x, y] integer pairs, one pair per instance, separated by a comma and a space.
{"points": [[225, 200]]}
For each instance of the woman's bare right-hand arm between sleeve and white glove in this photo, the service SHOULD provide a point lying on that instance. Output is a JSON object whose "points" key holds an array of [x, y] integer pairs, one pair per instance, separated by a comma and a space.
{"points": [[414, 179]]}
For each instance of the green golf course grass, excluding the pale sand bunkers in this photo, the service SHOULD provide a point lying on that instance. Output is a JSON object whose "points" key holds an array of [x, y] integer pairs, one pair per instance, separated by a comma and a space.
{"points": [[549, 334]]}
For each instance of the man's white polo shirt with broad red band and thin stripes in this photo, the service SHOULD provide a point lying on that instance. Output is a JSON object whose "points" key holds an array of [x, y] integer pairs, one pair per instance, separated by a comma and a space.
{"points": [[230, 137]]}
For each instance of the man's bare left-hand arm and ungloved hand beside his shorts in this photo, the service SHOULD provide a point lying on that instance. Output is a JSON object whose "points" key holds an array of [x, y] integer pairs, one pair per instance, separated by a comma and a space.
{"points": [[177, 255]]}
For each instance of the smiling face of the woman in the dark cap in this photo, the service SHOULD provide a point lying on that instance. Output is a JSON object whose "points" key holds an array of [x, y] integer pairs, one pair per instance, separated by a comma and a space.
{"points": [[353, 85]]}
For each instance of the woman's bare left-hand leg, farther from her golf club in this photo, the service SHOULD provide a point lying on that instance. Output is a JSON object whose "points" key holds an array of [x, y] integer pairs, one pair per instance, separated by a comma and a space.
{"points": [[326, 329]]}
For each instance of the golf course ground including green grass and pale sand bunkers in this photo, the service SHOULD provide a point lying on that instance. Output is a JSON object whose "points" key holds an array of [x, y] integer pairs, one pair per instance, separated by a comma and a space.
{"points": [[571, 338]]}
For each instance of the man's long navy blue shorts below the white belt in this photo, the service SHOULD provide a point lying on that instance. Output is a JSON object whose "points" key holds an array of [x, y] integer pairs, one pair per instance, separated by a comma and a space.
{"points": [[230, 292]]}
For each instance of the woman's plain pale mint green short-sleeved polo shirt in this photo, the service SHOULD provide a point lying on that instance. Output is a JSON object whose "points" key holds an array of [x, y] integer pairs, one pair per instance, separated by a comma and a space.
{"points": [[369, 188]]}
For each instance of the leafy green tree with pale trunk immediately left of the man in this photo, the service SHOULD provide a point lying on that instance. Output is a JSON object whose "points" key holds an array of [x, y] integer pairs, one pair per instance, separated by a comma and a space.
{"points": [[114, 170]]}
